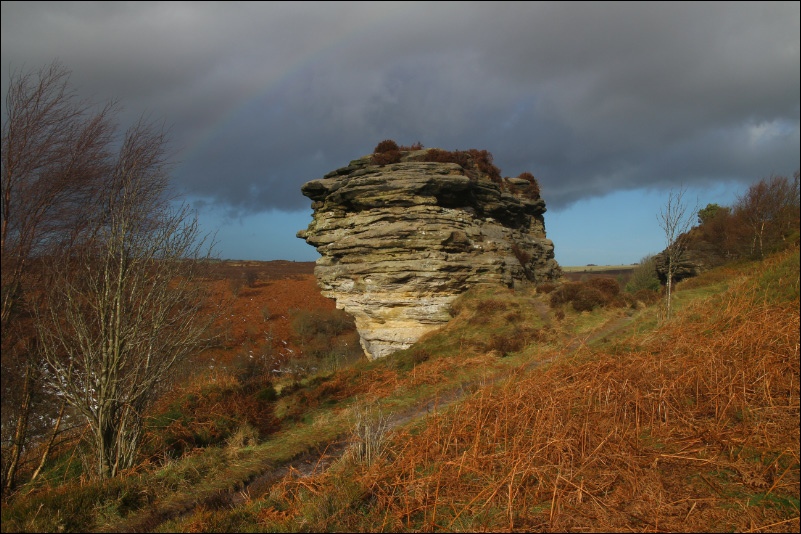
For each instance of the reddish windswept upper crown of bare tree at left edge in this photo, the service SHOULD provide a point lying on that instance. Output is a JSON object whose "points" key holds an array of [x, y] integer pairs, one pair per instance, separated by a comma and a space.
{"points": [[53, 154]]}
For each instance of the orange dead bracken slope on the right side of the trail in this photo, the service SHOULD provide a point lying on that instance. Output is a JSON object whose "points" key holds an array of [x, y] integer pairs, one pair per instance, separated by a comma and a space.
{"points": [[690, 427]]}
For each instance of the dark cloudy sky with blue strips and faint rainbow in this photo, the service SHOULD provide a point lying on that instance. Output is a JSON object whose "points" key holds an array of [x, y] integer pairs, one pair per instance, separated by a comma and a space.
{"points": [[610, 105]]}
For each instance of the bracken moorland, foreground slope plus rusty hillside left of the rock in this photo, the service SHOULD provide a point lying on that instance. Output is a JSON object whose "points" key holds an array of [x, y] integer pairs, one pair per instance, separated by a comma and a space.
{"points": [[523, 413]]}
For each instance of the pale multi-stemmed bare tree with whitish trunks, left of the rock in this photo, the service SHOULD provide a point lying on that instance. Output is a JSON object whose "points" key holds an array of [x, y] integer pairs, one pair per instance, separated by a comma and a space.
{"points": [[126, 305]]}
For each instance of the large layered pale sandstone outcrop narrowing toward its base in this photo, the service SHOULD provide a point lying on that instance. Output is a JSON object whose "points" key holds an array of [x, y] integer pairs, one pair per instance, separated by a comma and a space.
{"points": [[400, 242]]}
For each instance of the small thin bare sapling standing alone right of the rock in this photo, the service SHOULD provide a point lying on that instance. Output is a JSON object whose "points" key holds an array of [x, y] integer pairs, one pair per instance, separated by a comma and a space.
{"points": [[676, 220]]}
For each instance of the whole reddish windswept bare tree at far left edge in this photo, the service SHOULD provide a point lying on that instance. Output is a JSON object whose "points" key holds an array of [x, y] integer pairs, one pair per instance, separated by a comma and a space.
{"points": [[54, 150]]}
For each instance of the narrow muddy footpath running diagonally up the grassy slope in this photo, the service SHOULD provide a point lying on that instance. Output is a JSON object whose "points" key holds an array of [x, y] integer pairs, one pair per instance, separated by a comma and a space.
{"points": [[319, 458]]}
